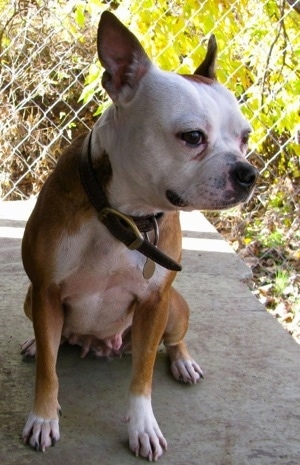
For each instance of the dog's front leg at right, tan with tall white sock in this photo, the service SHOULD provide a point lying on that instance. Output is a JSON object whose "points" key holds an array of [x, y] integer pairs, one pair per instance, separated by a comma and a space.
{"points": [[145, 436]]}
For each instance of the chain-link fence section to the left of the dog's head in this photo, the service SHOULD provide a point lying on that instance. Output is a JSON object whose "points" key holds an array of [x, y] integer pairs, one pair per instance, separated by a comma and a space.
{"points": [[43, 68]]}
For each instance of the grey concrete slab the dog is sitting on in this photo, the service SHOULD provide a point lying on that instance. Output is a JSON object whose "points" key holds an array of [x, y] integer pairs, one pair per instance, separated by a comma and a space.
{"points": [[245, 411]]}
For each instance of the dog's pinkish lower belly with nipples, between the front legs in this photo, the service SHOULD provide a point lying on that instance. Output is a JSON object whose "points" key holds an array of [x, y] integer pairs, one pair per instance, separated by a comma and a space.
{"points": [[99, 308]]}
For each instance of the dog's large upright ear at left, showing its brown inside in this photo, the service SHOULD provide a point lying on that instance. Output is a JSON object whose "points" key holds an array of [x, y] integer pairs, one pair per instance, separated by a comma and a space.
{"points": [[123, 57]]}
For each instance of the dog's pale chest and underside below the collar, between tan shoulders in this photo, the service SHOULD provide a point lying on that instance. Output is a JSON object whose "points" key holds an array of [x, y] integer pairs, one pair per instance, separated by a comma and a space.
{"points": [[99, 280]]}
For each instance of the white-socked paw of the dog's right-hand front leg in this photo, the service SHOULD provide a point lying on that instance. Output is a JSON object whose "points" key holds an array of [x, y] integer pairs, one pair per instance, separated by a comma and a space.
{"points": [[145, 436]]}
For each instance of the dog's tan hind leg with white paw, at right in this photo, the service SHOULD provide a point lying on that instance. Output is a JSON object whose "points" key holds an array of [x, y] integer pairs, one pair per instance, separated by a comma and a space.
{"points": [[183, 367]]}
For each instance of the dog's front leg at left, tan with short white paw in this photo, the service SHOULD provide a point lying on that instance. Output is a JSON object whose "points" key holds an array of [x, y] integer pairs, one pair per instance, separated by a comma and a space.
{"points": [[42, 429]]}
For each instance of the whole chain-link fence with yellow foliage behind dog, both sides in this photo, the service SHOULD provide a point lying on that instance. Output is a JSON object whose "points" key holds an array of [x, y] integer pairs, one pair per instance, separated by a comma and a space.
{"points": [[50, 92]]}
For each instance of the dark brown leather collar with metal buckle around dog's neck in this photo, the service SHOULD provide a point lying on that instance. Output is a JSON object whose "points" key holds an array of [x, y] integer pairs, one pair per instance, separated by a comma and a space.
{"points": [[125, 228]]}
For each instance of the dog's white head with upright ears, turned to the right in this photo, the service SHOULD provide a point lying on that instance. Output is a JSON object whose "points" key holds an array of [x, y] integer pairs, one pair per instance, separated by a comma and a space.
{"points": [[174, 141]]}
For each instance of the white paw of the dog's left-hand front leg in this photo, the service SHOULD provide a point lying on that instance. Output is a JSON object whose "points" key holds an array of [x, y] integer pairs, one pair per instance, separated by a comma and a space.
{"points": [[40, 433]]}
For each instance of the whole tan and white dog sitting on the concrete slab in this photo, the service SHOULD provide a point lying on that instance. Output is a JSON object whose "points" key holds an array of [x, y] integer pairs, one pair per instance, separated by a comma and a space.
{"points": [[103, 243]]}
